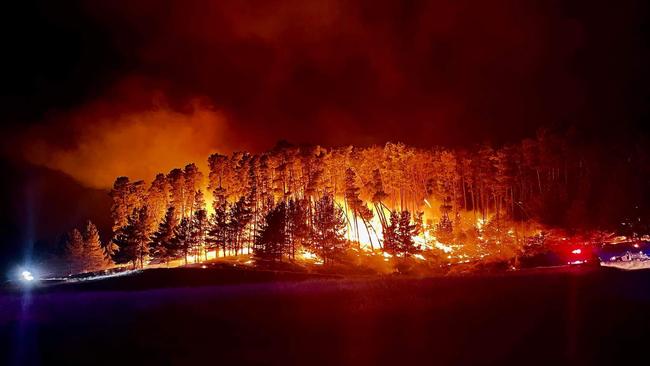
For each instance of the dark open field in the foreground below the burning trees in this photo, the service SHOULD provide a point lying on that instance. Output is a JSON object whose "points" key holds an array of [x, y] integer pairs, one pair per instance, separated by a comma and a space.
{"points": [[544, 317]]}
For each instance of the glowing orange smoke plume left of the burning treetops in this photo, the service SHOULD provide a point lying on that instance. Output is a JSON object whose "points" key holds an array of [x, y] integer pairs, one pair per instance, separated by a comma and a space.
{"points": [[134, 144]]}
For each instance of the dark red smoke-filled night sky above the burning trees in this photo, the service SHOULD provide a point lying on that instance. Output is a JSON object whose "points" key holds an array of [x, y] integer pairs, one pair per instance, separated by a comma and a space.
{"points": [[334, 72]]}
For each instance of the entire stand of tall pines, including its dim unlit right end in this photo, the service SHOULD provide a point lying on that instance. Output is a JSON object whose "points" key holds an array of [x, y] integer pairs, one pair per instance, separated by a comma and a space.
{"points": [[325, 199]]}
